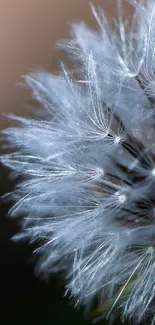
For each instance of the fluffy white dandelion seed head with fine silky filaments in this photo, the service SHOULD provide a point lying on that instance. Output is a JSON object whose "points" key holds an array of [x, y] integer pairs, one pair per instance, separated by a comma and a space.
{"points": [[88, 166]]}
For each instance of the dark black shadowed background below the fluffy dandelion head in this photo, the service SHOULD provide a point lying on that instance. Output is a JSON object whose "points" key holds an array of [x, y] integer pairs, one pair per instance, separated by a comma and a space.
{"points": [[24, 297]]}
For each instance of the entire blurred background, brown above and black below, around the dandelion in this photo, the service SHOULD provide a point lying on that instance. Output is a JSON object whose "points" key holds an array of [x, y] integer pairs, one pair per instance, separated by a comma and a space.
{"points": [[29, 30]]}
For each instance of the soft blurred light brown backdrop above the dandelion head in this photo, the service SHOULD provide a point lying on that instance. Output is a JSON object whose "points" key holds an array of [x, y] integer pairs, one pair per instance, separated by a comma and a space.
{"points": [[29, 30]]}
